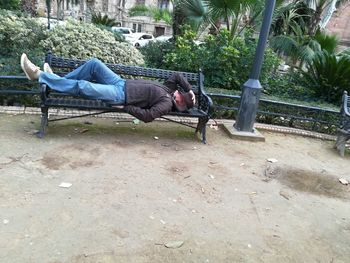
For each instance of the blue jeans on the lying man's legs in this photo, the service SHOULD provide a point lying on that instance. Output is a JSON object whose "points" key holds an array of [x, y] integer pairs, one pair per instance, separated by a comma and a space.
{"points": [[109, 86]]}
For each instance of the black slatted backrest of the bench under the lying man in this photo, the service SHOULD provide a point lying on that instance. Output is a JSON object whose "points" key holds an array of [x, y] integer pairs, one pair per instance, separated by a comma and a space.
{"points": [[66, 65]]}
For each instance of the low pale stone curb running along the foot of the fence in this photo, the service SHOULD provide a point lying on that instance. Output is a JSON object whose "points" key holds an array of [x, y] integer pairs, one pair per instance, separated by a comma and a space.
{"points": [[124, 116]]}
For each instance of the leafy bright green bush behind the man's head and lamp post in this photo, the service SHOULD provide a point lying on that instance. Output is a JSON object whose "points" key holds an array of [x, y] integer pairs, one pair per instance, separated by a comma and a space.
{"points": [[226, 62]]}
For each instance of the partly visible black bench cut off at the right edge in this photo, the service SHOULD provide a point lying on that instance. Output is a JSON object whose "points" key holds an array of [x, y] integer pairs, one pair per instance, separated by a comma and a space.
{"points": [[343, 134]]}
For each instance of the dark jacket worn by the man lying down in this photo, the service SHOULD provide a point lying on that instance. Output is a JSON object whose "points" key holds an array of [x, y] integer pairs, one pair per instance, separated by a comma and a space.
{"points": [[148, 100]]}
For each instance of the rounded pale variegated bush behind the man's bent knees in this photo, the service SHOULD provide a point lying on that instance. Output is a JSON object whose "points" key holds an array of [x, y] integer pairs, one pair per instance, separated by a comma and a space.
{"points": [[84, 41]]}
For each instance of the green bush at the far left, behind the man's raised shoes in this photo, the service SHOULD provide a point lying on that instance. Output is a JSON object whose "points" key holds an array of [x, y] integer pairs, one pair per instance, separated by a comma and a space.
{"points": [[18, 34]]}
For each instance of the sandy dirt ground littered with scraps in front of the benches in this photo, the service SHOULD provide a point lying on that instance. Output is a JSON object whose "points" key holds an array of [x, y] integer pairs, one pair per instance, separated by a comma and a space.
{"points": [[133, 195]]}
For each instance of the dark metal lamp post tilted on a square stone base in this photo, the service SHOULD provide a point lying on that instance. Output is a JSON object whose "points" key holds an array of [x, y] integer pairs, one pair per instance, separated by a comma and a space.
{"points": [[252, 88]]}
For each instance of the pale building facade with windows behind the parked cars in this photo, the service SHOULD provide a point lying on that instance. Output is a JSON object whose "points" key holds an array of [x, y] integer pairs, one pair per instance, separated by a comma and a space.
{"points": [[117, 9]]}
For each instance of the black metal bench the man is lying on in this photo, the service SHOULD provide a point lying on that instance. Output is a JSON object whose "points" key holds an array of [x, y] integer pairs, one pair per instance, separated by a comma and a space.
{"points": [[61, 66]]}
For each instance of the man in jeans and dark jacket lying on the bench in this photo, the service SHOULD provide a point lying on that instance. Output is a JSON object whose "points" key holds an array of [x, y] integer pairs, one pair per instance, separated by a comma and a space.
{"points": [[144, 99]]}
